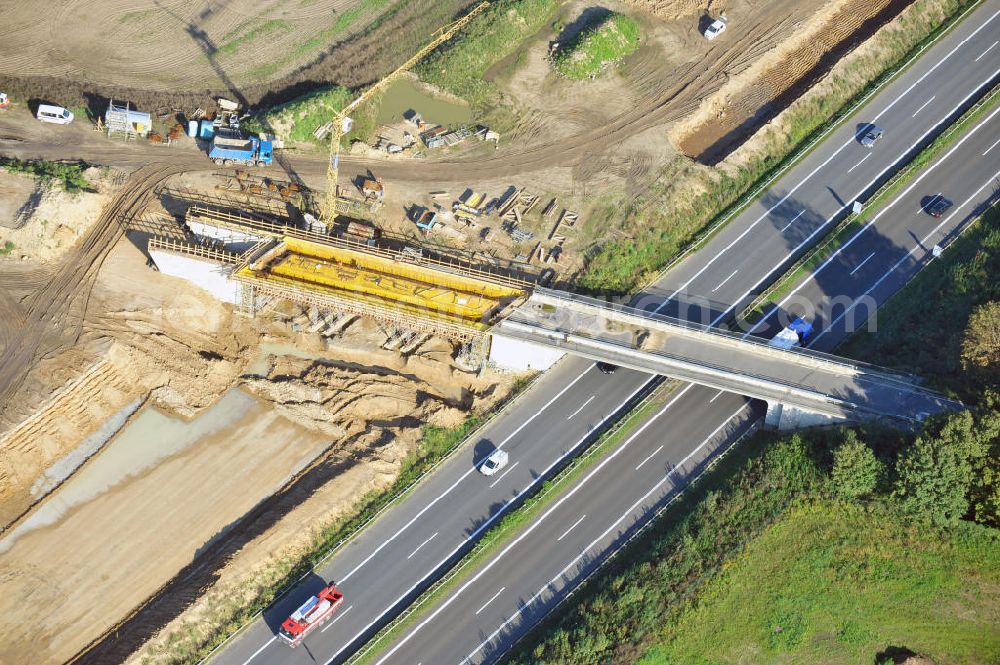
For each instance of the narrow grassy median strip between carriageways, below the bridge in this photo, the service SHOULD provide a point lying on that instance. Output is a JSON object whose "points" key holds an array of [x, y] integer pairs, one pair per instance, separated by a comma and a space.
{"points": [[511, 524]]}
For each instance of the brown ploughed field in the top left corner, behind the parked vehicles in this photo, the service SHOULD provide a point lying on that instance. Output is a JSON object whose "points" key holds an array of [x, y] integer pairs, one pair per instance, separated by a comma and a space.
{"points": [[180, 55]]}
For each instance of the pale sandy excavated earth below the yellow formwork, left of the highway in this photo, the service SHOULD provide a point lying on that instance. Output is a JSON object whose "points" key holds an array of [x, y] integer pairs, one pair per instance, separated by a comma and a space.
{"points": [[352, 414]]}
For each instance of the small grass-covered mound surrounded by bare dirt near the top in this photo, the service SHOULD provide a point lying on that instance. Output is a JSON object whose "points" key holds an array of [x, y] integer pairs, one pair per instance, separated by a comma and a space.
{"points": [[597, 46]]}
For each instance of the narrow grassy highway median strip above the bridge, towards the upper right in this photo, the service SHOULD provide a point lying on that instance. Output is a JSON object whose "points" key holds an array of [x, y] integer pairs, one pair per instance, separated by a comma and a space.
{"points": [[852, 224]]}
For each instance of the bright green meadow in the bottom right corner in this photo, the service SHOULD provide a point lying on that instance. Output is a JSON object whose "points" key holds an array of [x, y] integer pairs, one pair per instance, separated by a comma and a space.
{"points": [[837, 583]]}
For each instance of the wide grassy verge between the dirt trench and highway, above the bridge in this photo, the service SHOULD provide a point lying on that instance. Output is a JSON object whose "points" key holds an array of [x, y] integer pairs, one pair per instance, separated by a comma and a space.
{"points": [[668, 233]]}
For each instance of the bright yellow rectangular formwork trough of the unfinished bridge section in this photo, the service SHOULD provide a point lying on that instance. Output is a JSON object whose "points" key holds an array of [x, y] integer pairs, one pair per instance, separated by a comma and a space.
{"points": [[384, 283]]}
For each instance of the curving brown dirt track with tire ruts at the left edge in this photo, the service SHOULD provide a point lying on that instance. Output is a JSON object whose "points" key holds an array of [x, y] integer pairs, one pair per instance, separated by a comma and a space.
{"points": [[51, 319]]}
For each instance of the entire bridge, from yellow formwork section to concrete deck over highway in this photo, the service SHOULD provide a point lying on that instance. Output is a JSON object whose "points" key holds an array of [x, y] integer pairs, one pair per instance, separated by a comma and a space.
{"points": [[252, 262]]}
